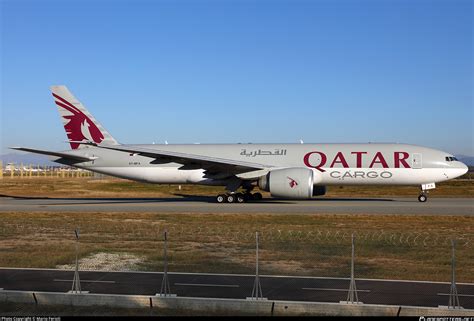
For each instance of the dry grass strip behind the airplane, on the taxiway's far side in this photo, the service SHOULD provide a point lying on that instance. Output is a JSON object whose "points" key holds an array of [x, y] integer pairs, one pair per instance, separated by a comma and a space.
{"points": [[114, 187]]}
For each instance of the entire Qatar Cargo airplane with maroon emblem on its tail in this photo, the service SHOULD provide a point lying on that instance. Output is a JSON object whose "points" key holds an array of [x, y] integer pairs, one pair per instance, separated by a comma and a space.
{"points": [[293, 171]]}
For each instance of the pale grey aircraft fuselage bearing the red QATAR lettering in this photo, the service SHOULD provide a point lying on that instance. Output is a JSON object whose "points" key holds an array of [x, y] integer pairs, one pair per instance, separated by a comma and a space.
{"points": [[336, 164]]}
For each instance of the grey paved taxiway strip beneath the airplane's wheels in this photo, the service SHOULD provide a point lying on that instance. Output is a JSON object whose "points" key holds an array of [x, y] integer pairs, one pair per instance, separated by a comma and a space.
{"points": [[199, 204]]}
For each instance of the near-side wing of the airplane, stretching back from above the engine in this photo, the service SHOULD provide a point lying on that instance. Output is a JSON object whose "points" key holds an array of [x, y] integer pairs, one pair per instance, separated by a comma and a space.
{"points": [[213, 166]]}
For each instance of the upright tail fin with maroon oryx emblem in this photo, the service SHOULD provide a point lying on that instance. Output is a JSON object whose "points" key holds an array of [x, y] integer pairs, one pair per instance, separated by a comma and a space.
{"points": [[78, 122]]}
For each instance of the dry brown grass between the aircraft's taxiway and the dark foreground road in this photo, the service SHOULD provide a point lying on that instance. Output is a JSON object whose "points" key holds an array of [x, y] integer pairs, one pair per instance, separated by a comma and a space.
{"points": [[396, 247]]}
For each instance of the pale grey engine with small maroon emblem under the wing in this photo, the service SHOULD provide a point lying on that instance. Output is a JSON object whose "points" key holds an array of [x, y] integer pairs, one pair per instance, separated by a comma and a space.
{"points": [[288, 183]]}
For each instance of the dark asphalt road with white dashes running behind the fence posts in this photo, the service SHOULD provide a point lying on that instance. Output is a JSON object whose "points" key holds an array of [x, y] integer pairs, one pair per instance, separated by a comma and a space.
{"points": [[430, 294]]}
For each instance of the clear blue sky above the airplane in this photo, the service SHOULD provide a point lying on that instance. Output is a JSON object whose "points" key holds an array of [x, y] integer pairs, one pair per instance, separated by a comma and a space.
{"points": [[242, 71]]}
